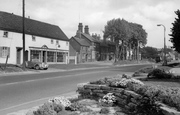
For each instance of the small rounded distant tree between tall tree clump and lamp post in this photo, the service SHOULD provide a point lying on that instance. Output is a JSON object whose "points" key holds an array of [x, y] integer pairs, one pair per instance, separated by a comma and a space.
{"points": [[149, 52]]}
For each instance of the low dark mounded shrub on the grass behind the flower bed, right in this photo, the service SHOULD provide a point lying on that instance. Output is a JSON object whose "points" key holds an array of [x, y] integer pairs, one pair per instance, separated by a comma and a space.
{"points": [[160, 74]]}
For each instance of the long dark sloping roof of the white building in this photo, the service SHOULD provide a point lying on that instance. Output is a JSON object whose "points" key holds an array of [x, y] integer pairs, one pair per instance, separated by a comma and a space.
{"points": [[13, 23]]}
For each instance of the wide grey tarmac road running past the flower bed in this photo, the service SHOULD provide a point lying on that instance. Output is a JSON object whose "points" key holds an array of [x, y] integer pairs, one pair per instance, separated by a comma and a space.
{"points": [[20, 90]]}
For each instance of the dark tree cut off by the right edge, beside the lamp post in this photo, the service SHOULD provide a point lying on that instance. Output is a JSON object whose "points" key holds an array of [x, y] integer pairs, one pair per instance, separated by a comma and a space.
{"points": [[175, 36]]}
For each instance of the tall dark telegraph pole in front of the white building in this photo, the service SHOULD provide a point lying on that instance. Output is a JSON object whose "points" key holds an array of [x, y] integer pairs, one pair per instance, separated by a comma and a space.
{"points": [[23, 31]]}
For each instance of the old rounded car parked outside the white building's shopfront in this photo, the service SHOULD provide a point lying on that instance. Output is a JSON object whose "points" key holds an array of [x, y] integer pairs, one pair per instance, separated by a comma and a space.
{"points": [[36, 65]]}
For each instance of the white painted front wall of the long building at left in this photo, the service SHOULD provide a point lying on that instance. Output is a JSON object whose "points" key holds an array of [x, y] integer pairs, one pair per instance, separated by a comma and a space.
{"points": [[14, 40]]}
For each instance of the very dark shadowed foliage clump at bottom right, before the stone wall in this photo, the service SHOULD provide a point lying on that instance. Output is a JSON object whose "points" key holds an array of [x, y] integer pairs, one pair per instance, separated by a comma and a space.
{"points": [[146, 106]]}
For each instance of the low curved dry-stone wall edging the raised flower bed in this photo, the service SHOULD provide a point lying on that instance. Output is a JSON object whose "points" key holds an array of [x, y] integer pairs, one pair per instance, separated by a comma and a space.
{"points": [[126, 98]]}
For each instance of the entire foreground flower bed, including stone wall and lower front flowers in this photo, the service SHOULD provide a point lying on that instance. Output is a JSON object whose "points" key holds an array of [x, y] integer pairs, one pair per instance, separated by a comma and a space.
{"points": [[114, 96]]}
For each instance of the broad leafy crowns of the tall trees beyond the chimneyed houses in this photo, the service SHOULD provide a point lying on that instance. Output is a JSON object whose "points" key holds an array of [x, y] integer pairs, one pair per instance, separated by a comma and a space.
{"points": [[122, 32]]}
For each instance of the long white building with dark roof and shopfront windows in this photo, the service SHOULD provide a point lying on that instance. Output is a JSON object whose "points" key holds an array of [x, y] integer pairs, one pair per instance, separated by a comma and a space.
{"points": [[43, 42]]}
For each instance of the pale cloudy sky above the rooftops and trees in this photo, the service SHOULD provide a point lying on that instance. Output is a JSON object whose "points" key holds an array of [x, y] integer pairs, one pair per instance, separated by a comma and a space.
{"points": [[67, 14]]}
